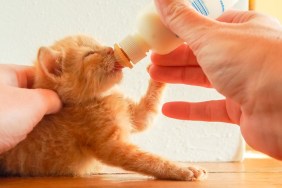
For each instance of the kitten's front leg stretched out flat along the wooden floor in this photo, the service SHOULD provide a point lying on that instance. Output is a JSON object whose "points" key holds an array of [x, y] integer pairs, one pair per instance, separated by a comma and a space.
{"points": [[130, 158]]}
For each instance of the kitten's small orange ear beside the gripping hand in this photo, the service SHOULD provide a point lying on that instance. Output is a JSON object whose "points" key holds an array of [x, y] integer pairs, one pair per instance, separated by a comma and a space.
{"points": [[50, 62]]}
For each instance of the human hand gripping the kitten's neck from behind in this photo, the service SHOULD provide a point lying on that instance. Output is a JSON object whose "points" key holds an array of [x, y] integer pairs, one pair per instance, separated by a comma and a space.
{"points": [[21, 108]]}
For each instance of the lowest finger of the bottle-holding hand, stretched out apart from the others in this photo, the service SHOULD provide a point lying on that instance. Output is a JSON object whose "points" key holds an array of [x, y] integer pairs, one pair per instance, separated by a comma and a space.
{"points": [[211, 111]]}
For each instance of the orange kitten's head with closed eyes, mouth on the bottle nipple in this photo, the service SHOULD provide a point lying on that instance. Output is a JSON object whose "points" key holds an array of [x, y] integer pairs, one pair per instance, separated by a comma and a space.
{"points": [[77, 68]]}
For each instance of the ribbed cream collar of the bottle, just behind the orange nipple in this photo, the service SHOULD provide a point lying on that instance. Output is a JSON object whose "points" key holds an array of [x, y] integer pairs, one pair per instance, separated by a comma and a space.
{"points": [[135, 48]]}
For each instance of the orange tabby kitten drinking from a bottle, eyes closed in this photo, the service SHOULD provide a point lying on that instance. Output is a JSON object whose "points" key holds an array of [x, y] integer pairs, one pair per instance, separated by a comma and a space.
{"points": [[94, 124]]}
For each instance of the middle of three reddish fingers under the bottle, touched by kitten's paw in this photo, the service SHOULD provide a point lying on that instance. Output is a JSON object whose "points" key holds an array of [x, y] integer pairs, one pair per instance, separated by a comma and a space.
{"points": [[181, 75]]}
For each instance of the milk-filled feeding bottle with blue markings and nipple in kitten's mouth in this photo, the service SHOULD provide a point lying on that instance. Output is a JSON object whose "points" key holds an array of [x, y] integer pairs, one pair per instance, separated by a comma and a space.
{"points": [[152, 35]]}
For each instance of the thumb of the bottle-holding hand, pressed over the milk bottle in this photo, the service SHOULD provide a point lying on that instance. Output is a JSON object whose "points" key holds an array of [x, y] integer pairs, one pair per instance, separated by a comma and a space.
{"points": [[183, 20]]}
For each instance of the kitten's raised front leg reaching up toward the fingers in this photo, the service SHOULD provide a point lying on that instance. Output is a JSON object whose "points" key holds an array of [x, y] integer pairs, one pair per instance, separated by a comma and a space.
{"points": [[142, 113]]}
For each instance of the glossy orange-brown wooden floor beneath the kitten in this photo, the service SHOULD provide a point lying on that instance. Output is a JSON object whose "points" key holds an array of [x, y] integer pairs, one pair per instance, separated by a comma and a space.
{"points": [[252, 173]]}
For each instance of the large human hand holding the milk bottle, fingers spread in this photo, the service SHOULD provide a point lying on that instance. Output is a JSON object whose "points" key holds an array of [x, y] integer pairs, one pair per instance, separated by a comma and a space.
{"points": [[240, 56]]}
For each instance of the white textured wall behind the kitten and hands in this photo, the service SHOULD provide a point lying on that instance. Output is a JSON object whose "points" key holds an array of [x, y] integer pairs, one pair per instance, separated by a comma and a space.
{"points": [[25, 25]]}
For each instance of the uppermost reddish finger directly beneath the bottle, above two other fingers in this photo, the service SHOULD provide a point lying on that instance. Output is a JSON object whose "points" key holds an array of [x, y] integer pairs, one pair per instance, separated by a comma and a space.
{"points": [[182, 56]]}
